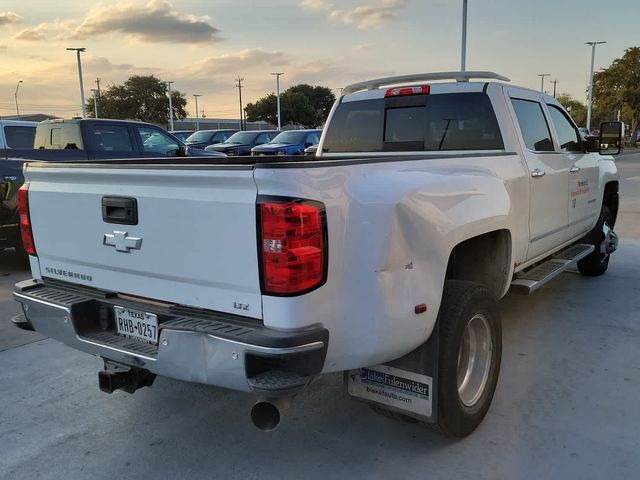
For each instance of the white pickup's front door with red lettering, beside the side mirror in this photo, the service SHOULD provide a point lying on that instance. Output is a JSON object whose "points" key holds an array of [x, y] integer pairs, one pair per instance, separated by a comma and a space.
{"points": [[584, 207]]}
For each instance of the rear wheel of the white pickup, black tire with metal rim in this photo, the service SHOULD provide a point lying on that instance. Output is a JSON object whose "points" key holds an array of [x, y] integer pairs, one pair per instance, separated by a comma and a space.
{"points": [[470, 351]]}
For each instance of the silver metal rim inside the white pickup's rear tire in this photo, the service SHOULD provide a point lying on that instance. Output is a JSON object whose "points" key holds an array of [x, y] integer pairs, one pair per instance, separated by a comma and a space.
{"points": [[474, 360]]}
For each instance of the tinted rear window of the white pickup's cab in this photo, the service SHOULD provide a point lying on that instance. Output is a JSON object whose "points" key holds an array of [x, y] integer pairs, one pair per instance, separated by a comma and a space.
{"points": [[456, 121]]}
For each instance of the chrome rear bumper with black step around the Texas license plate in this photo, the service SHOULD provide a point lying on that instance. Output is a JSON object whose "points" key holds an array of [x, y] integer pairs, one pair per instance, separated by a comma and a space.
{"points": [[195, 346]]}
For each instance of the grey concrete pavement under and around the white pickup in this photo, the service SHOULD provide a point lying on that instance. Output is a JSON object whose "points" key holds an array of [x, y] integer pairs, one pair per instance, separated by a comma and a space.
{"points": [[566, 405]]}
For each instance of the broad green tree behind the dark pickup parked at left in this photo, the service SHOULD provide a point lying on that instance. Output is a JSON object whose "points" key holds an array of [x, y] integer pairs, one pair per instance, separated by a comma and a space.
{"points": [[139, 98]]}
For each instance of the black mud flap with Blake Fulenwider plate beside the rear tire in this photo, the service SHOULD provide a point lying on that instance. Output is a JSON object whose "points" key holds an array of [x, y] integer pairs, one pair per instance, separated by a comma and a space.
{"points": [[407, 385]]}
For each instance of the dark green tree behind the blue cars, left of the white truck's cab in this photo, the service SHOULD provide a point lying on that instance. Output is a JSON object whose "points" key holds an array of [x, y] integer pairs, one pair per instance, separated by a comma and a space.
{"points": [[301, 104]]}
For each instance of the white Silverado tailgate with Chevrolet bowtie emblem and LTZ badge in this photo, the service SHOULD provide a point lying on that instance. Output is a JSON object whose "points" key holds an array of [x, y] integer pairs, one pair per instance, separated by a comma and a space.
{"points": [[194, 242]]}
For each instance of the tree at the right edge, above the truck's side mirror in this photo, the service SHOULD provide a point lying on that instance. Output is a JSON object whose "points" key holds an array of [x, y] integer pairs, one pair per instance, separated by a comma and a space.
{"points": [[618, 88]]}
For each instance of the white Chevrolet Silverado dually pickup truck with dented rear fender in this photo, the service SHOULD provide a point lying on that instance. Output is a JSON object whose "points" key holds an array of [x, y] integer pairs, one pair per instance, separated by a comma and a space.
{"points": [[383, 257]]}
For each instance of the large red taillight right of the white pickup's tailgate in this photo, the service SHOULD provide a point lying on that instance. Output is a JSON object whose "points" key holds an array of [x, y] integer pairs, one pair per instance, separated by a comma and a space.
{"points": [[293, 245]]}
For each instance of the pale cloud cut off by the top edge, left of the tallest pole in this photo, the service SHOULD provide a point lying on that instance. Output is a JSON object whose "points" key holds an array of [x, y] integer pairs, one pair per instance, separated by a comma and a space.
{"points": [[363, 16]]}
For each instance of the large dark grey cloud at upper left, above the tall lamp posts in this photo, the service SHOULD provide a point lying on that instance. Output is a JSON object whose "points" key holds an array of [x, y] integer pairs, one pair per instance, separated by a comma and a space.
{"points": [[157, 21]]}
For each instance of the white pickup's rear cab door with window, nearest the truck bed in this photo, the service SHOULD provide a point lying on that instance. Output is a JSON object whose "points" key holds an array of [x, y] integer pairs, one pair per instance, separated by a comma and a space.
{"points": [[549, 174]]}
